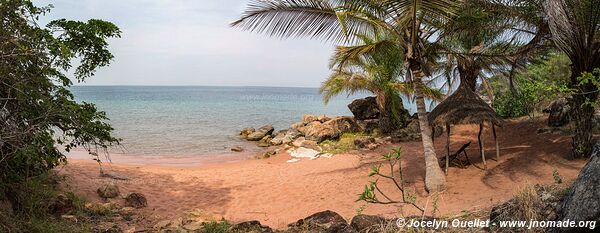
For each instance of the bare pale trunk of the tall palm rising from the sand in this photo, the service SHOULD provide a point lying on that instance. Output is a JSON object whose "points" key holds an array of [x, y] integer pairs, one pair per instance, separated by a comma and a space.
{"points": [[435, 181]]}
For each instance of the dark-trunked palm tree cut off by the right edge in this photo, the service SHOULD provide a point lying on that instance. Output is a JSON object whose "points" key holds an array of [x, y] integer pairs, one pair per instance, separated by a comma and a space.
{"points": [[575, 29]]}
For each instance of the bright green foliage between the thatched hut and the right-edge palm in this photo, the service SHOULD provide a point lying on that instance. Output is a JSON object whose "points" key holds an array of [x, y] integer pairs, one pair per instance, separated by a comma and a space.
{"points": [[536, 87]]}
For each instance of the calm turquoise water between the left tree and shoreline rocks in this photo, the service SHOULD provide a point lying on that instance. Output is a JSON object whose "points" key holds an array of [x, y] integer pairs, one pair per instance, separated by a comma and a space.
{"points": [[201, 120]]}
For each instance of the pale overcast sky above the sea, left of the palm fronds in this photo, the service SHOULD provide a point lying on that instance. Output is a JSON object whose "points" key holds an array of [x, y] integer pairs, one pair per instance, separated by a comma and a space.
{"points": [[189, 42]]}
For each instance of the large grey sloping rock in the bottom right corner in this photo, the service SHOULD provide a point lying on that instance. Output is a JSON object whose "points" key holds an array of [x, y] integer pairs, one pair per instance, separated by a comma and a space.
{"points": [[583, 201]]}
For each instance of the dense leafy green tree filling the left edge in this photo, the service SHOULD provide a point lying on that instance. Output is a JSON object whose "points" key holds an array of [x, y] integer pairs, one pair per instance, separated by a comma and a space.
{"points": [[38, 114]]}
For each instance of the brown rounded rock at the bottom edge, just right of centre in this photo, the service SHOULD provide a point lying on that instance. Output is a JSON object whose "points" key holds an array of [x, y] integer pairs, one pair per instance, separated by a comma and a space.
{"points": [[322, 220]]}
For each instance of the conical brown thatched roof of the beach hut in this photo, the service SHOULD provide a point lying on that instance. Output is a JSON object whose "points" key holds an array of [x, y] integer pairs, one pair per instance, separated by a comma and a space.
{"points": [[462, 108]]}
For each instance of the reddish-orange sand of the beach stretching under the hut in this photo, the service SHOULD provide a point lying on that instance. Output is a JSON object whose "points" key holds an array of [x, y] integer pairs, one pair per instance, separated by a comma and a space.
{"points": [[278, 193]]}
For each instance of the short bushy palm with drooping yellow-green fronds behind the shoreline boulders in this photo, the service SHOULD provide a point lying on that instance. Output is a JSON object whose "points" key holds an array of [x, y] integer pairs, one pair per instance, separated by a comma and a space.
{"points": [[374, 65]]}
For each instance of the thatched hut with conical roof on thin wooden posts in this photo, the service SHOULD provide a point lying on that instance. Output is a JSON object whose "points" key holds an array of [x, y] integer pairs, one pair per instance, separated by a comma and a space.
{"points": [[465, 107]]}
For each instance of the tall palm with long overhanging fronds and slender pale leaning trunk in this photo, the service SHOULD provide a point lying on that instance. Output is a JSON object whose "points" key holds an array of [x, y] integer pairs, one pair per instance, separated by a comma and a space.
{"points": [[415, 23]]}
